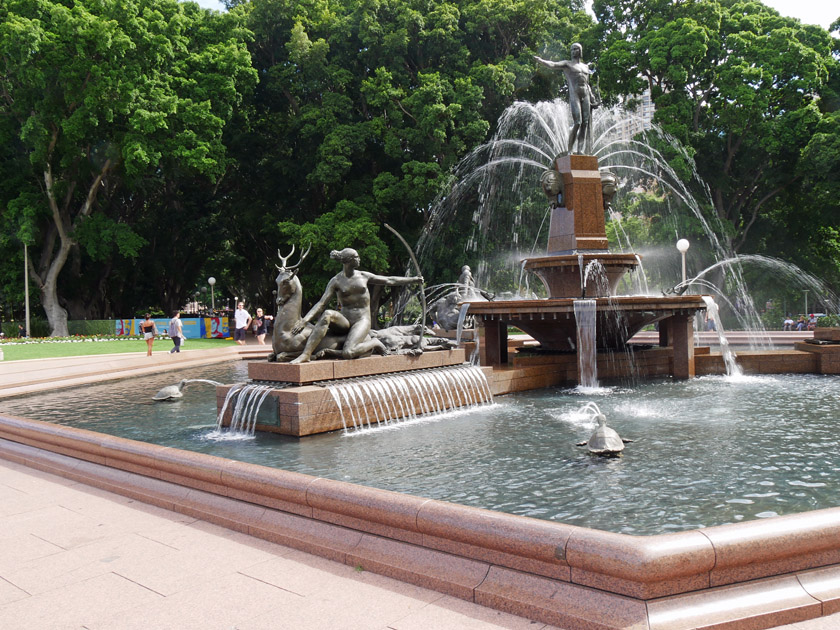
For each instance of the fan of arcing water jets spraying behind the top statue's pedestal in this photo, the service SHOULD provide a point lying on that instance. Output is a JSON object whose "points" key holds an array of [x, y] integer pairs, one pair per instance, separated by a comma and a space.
{"points": [[500, 179]]}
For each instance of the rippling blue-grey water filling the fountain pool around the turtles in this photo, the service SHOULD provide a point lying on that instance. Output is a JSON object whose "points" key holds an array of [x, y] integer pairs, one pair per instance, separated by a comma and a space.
{"points": [[707, 451]]}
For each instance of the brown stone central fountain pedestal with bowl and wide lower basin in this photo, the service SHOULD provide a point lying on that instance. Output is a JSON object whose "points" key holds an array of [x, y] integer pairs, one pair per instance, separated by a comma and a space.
{"points": [[578, 265]]}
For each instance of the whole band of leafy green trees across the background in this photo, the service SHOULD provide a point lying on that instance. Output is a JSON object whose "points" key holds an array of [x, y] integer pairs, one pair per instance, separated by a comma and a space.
{"points": [[148, 144]]}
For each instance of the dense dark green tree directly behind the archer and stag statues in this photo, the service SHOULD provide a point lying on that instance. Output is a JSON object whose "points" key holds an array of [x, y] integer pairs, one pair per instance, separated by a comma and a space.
{"points": [[363, 108]]}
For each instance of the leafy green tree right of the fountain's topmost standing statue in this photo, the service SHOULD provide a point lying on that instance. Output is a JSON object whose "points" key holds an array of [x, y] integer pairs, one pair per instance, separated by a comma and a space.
{"points": [[734, 81]]}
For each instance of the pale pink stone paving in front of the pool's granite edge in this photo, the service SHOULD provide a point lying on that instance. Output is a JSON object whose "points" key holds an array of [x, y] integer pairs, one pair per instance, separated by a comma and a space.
{"points": [[90, 559]]}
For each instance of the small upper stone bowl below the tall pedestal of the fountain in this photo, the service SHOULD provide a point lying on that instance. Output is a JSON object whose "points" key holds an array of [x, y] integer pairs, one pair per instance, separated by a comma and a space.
{"points": [[586, 274]]}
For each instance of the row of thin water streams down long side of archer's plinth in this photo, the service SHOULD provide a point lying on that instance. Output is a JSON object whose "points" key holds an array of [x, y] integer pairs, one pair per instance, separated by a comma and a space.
{"points": [[363, 403]]}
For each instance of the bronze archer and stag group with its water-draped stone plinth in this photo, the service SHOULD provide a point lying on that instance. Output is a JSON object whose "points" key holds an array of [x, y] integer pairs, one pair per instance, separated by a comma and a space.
{"points": [[412, 376]]}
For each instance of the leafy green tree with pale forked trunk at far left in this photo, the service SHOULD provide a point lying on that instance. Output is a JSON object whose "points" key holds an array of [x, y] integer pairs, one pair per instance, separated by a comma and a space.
{"points": [[109, 106]]}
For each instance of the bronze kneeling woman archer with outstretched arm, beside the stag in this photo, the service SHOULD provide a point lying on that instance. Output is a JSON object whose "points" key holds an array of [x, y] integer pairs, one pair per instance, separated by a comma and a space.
{"points": [[353, 320]]}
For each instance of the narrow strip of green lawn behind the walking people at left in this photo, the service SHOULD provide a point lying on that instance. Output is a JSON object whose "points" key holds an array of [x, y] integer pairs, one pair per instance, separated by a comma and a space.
{"points": [[17, 352]]}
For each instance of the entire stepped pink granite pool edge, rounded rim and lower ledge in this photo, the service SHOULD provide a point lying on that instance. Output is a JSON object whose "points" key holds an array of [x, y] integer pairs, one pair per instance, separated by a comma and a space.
{"points": [[551, 572]]}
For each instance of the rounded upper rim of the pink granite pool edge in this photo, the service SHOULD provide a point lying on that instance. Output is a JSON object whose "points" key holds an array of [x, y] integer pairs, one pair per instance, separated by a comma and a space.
{"points": [[639, 559]]}
